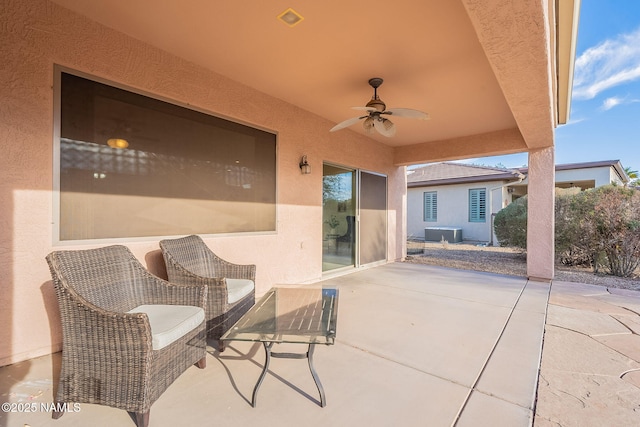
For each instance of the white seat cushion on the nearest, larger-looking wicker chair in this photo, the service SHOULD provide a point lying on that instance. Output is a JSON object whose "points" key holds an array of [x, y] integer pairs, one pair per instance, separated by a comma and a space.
{"points": [[170, 322]]}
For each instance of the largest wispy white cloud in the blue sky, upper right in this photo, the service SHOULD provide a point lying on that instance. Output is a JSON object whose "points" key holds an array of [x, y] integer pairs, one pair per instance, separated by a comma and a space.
{"points": [[609, 64]]}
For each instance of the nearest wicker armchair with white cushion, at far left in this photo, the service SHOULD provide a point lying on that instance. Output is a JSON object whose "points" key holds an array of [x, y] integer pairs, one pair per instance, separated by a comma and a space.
{"points": [[118, 348]]}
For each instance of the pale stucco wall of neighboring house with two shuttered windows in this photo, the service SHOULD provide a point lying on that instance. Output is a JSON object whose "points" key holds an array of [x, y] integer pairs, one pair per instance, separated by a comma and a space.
{"points": [[453, 209]]}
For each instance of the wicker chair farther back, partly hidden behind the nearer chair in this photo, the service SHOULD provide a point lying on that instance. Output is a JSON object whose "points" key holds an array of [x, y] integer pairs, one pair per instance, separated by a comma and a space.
{"points": [[231, 286]]}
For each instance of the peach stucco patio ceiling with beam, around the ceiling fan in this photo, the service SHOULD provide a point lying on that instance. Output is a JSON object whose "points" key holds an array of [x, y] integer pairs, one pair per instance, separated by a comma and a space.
{"points": [[442, 57]]}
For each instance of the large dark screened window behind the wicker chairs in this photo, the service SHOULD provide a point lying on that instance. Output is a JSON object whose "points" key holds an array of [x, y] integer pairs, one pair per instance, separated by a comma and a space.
{"points": [[134, 166]]}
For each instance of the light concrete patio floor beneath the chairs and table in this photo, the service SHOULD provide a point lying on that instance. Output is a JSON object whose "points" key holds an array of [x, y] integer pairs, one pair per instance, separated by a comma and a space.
{"points": [[416, 345]]}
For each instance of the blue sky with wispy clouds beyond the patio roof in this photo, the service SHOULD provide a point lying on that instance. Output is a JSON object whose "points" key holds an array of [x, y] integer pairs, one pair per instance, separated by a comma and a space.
{"points": [[604, 121]]}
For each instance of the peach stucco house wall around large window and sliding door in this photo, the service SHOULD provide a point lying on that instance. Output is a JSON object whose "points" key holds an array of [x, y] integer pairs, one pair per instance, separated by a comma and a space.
{"points": [[37, 34]]}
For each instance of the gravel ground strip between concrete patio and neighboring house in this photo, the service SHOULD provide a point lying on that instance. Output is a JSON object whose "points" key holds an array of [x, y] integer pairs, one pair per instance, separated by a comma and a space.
{"points": [[500, 260]]}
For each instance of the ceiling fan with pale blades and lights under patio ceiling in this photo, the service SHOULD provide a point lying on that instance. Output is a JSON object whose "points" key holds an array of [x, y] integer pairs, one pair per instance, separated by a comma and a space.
{"points": [[376, 109]]}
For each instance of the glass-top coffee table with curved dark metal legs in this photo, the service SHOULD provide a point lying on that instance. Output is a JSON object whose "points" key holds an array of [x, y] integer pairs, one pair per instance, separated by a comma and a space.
{"points": [[305, 315]]}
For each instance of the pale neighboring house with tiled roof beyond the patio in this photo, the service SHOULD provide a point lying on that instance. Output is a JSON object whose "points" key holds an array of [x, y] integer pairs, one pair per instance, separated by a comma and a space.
{"points": [[446, 200]]}
